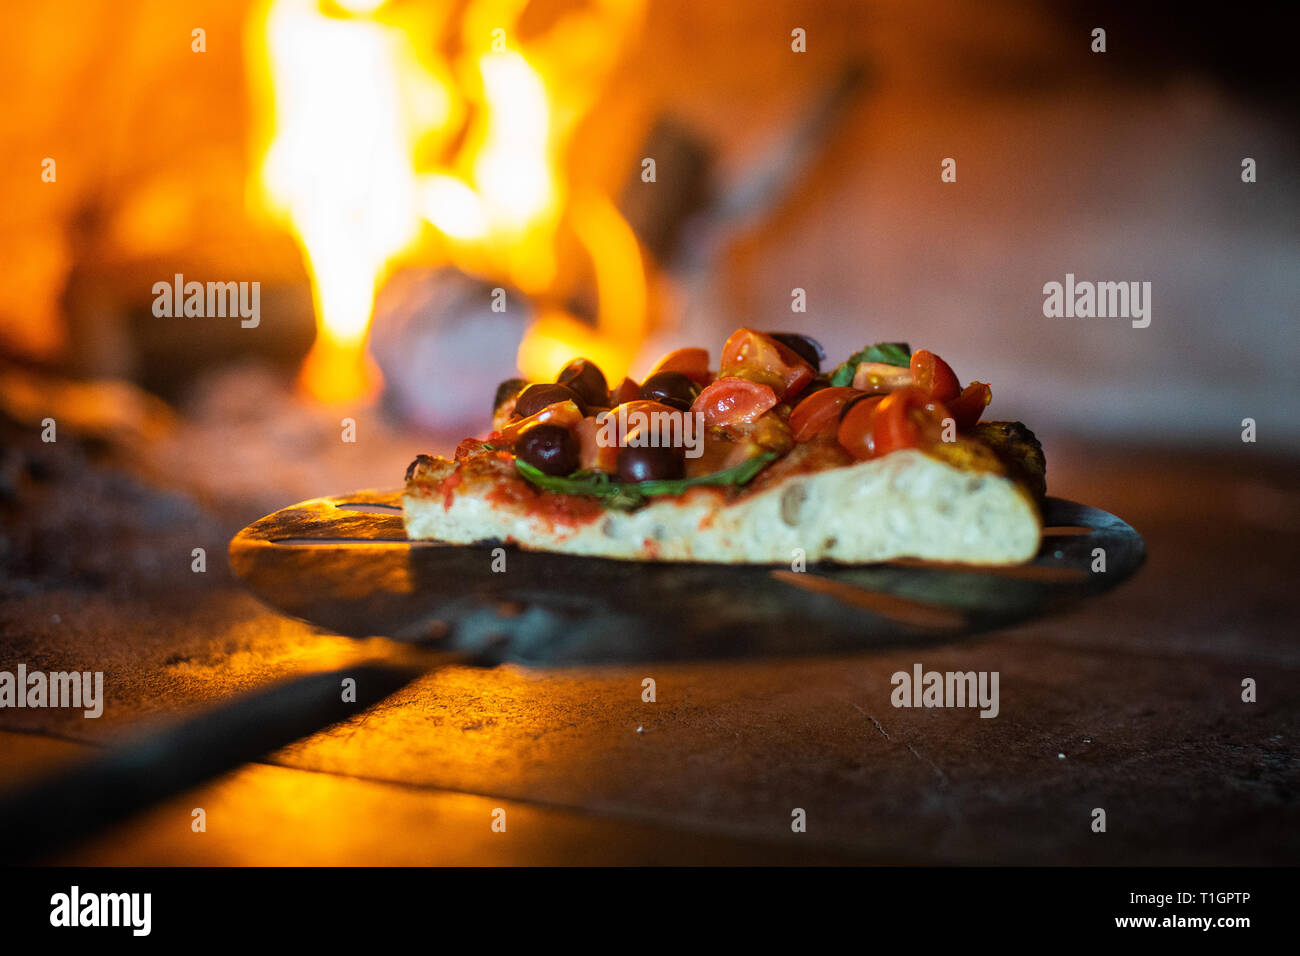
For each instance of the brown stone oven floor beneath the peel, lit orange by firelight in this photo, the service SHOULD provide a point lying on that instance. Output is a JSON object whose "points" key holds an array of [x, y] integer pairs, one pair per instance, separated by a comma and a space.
{"points": [[1132, 704]]}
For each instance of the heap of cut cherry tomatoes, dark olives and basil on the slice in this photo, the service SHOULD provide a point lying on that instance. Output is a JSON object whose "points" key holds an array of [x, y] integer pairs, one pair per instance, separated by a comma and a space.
{"points": [[766, 403]]}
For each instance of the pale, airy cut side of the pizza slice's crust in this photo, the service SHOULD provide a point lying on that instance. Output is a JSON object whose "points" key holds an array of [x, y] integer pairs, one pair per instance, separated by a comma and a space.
{"points": [[904, 505]]}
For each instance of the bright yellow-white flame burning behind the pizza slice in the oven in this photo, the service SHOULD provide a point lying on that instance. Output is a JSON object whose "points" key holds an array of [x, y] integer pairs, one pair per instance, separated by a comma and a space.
{"points": [[354, 115]]}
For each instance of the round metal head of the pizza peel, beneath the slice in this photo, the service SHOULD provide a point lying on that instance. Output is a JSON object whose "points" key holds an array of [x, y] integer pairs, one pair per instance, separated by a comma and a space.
{"points": [[345, 564]]}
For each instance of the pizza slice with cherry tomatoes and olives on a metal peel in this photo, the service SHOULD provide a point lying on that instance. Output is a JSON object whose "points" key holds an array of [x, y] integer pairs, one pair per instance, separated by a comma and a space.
{"points": [[765, 461]]}
